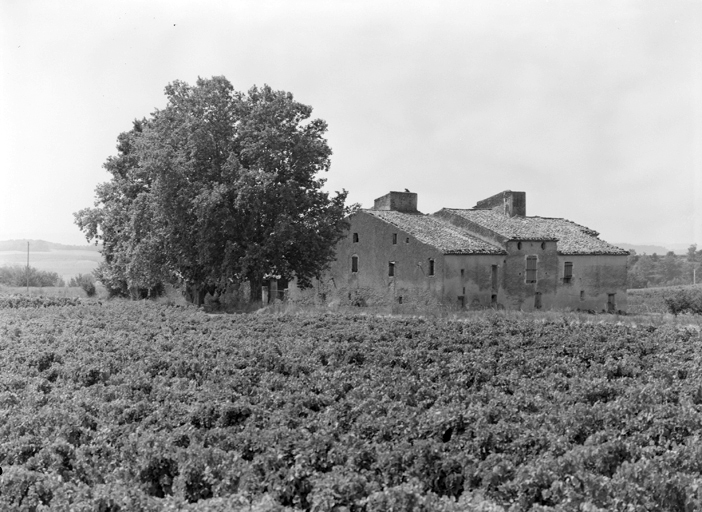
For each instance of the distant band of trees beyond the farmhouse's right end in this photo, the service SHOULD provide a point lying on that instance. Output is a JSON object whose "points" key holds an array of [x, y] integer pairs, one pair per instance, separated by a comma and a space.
{"points": [[653, 270]]}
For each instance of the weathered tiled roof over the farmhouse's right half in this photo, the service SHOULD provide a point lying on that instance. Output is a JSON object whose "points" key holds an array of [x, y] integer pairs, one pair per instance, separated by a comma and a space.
{"points": [[572, 238]]}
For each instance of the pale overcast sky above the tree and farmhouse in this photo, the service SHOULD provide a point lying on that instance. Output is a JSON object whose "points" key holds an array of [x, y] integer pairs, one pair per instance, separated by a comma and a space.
{"points": [[593, 108]]}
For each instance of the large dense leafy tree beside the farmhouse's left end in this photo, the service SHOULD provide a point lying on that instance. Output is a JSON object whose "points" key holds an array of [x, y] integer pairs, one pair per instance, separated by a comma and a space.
{"points": [[219, 187]]}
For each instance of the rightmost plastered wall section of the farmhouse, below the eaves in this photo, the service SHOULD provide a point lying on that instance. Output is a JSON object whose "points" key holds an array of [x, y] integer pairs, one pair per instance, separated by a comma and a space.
{"points": [[596, 277]]}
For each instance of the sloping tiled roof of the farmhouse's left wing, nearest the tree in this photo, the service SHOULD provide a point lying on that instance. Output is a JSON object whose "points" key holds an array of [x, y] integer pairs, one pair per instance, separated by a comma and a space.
{"points": [[436, 232]]}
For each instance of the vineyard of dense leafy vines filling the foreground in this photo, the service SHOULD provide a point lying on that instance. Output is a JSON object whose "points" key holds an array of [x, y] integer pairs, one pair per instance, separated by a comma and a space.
{"points": [[121, 406]]}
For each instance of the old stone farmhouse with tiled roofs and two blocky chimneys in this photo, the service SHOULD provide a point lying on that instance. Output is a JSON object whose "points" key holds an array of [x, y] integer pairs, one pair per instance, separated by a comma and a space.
{"points": [[492, 255]]}
